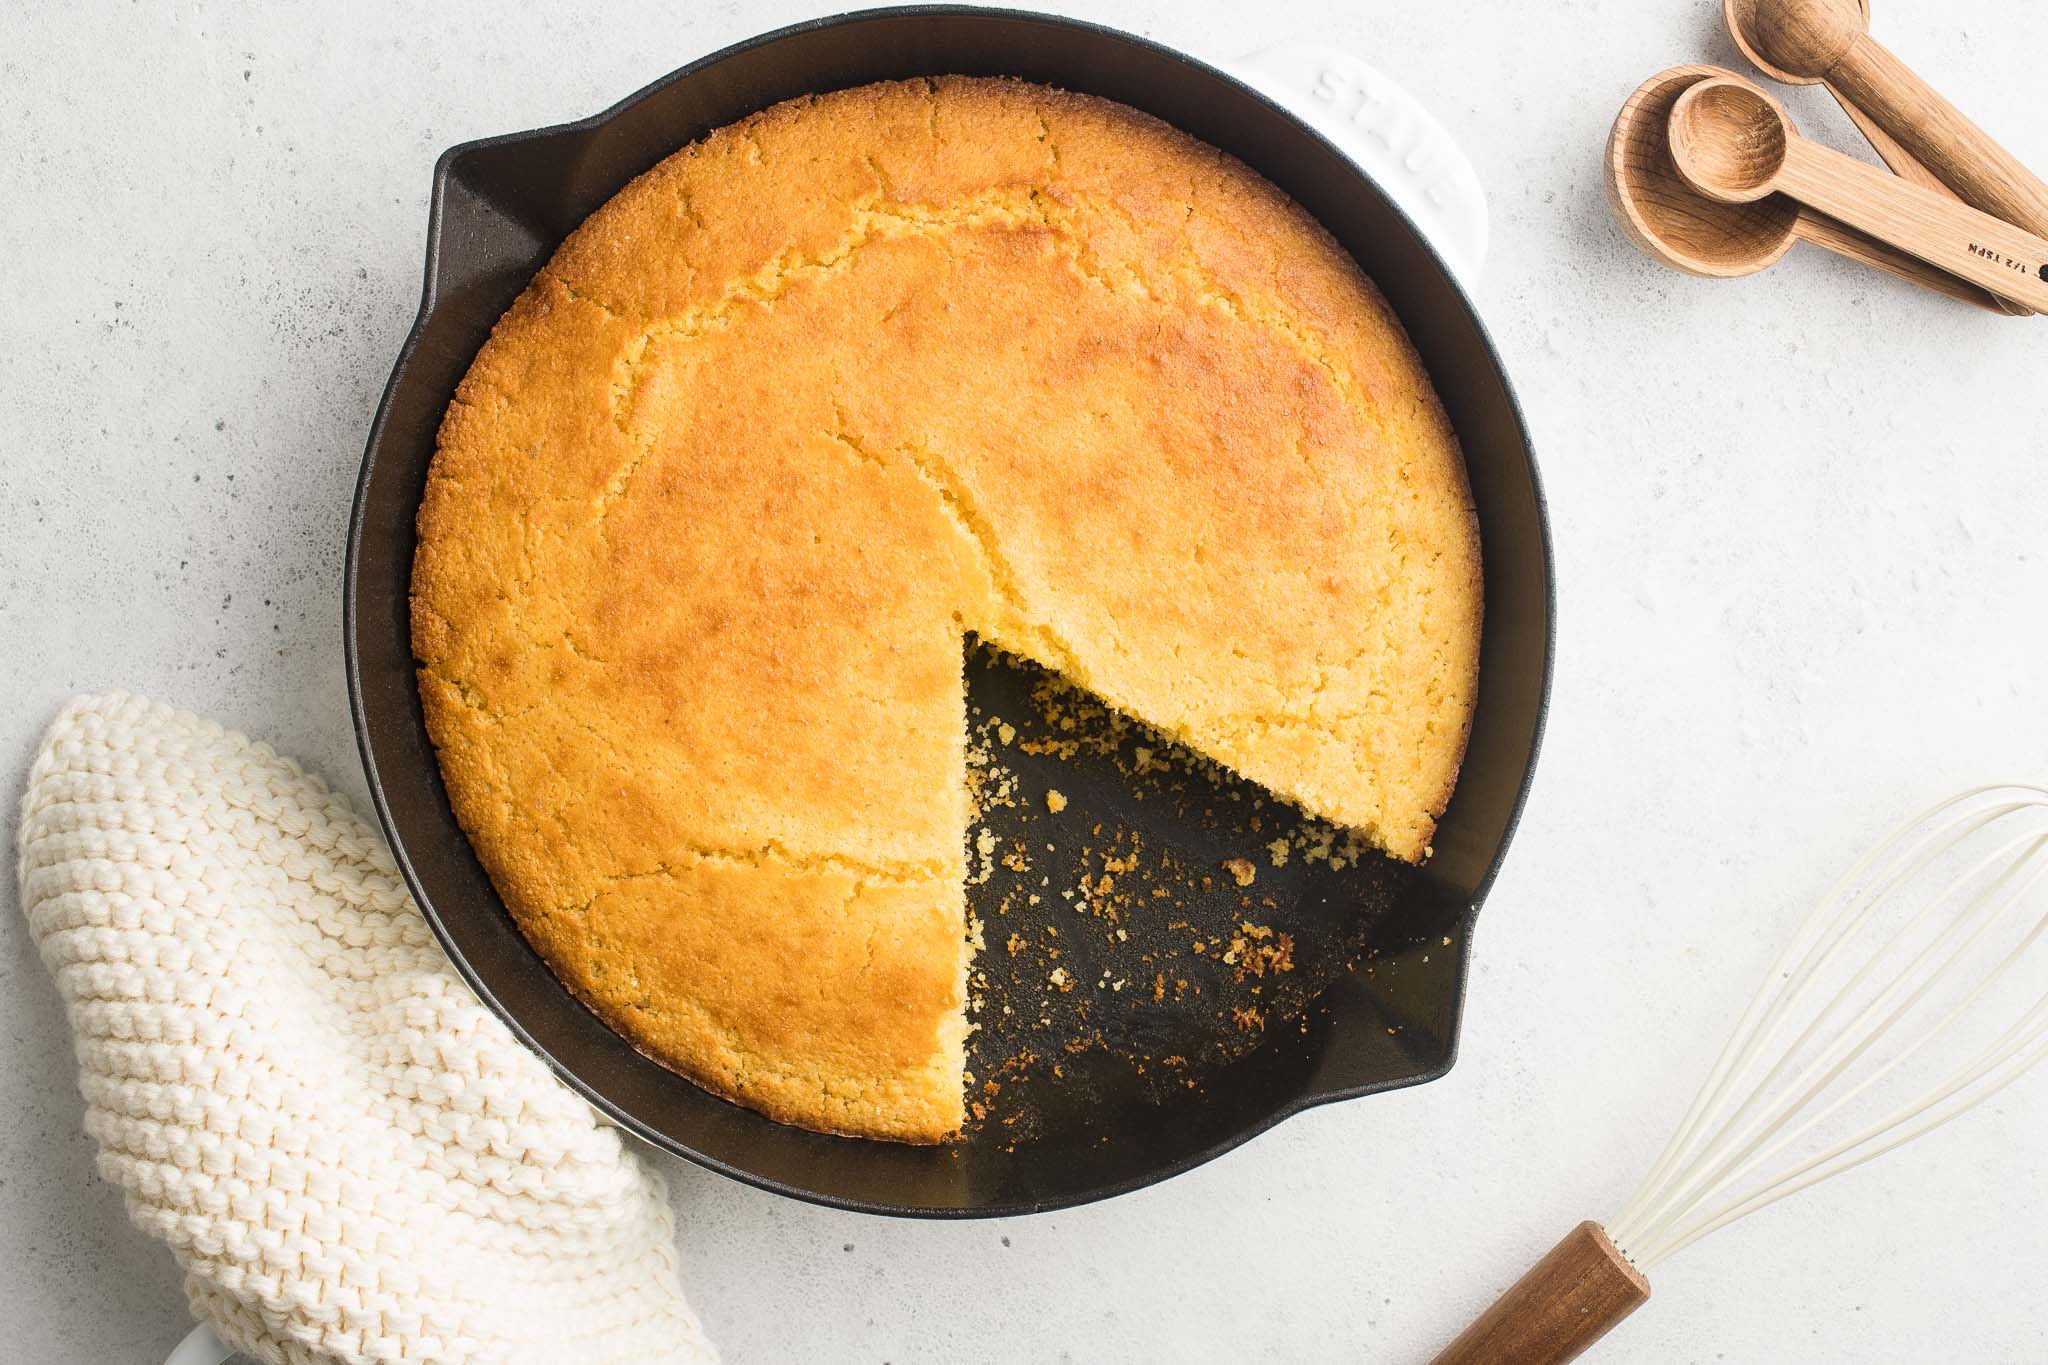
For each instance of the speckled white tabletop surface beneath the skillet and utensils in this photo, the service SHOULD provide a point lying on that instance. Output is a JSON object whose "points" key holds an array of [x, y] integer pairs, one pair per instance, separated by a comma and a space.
{"points": [[1803, 566]]}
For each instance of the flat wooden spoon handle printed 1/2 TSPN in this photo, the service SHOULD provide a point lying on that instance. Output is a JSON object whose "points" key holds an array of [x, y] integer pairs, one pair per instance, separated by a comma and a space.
{"points": [[1986, 251]]}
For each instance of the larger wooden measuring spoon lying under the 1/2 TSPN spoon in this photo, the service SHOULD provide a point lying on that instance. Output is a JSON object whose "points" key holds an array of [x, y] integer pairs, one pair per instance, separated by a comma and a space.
{"points": [[1674, 224]]}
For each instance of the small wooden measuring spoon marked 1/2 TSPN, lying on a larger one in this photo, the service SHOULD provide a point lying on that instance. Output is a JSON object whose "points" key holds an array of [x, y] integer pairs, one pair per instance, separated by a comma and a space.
{"points": [[1736, 144]]}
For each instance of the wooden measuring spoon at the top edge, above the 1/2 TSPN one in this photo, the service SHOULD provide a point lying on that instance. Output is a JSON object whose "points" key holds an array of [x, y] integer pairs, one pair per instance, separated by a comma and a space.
{"points": [[1830, 42]]}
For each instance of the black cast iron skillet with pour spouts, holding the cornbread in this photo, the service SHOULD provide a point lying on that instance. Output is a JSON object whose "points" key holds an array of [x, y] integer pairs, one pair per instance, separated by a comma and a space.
{"points": [[1381, 951]]}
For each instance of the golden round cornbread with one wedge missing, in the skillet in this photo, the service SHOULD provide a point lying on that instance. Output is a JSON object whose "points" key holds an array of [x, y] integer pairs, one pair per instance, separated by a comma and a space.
{"points": [[812, 400]]}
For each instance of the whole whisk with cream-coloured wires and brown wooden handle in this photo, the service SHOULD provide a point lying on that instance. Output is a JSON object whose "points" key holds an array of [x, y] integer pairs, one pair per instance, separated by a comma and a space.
{"points": [[1910, 996]]}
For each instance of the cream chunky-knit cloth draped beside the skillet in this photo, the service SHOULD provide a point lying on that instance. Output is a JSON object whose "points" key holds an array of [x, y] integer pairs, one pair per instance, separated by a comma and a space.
{"points": [[347, 1153]]}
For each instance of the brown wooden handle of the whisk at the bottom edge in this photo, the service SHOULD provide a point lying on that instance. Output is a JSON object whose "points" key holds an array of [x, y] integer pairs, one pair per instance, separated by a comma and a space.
{"points": [[1566, 1303]]}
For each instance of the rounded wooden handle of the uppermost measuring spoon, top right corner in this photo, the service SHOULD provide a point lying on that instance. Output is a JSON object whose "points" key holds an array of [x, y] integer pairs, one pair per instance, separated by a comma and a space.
{"points": [[1963, 155]]}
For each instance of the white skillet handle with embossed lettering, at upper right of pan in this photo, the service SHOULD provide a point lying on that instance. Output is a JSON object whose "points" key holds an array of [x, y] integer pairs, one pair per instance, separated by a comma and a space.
{"points": [[1390, 134]]}
